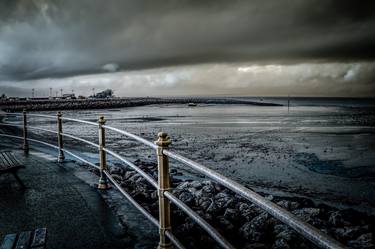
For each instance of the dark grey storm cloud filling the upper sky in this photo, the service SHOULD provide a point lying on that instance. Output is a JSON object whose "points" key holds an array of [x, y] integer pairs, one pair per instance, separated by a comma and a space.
{"points": [[40, 38]]}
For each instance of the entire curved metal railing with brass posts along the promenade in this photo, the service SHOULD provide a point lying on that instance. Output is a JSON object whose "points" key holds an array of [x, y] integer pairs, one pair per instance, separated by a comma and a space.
{"points": [[165, 196]]}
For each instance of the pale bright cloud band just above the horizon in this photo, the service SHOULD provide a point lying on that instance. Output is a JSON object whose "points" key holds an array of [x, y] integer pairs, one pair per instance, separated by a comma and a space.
{"points": [[322, 79]]}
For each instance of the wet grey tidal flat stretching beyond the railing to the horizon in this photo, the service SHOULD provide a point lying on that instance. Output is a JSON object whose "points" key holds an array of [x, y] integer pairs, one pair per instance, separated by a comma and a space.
{"points": [[320, 149]]}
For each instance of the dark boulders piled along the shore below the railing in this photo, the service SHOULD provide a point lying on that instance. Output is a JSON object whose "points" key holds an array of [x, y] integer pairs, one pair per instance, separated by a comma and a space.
{"points": [[243, 224]]}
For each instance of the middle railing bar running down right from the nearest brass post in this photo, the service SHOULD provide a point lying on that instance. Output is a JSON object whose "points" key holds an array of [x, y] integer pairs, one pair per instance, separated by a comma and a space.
{"points": [[201, 222]]}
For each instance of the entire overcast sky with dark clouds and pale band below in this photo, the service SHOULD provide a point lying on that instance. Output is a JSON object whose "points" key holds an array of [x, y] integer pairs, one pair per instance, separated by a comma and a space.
{"points": [[188, 47]]}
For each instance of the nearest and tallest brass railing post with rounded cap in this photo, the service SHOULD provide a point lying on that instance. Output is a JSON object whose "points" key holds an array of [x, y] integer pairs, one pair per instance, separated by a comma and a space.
{"points": [[163, 185]]}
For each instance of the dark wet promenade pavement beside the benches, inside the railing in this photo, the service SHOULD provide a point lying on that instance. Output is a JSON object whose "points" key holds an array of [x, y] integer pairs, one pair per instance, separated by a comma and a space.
{"points": [[75, 214]]}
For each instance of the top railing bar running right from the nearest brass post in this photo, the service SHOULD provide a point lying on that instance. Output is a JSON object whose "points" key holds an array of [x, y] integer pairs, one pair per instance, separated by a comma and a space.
{"points": [[308, 231]]}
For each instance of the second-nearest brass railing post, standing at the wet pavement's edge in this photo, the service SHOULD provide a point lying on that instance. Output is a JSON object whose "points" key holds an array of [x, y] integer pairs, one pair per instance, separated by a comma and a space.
{"points": [[103, 182]]}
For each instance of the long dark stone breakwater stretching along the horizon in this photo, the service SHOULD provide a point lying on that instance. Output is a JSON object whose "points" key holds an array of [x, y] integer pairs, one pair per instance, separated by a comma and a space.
{"points": [[75, 104]]}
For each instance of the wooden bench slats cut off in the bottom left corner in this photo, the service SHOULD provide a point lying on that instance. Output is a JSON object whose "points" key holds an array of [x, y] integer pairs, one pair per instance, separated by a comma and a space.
{"points": [[26, 240]]}
